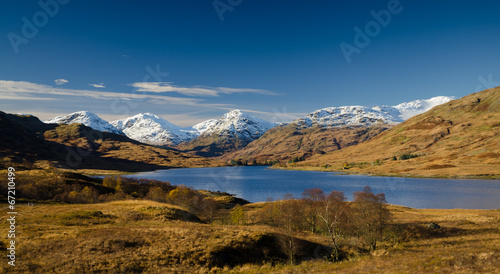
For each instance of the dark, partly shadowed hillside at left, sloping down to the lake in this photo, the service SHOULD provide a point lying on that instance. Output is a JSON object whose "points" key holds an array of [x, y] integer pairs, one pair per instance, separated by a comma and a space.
{"points": [[25, 140]]}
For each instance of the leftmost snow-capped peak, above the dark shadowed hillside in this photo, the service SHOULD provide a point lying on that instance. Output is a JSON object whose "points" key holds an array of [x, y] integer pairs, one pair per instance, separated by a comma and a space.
{"points": [[87, 118]]}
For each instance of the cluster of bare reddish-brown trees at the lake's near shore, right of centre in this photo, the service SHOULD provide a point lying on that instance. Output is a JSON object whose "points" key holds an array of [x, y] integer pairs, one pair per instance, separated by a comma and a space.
{"points": [[331, 215]]}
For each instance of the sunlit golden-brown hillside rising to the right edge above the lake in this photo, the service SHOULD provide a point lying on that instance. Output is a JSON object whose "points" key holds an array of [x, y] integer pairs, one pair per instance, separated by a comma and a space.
{"points": [[459, 138]]}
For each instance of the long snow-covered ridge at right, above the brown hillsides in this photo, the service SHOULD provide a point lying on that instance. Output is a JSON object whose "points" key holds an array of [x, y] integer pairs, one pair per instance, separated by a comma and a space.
{"points": [[365, 116]]}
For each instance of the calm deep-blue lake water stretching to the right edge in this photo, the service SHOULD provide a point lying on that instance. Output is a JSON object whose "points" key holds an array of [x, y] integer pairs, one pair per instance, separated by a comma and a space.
{"points": [[256, 184]]}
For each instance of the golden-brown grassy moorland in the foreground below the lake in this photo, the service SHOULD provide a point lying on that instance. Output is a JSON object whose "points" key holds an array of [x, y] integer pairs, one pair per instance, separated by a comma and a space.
{"points": [[142, 236]]}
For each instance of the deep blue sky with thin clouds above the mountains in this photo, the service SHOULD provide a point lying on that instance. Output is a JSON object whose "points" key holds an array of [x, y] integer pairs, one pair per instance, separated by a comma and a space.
{"points": [[188, 61]]}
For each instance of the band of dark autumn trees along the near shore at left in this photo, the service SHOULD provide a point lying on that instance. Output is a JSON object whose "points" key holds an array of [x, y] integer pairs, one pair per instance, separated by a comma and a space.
{"points": [[66, 187]]}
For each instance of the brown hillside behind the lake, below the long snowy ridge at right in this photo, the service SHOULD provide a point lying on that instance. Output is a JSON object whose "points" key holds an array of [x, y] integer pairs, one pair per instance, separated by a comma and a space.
{"points": [[286, 142]]}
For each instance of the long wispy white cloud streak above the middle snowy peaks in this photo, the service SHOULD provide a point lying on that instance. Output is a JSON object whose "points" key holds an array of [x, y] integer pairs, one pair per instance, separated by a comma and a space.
{"points": [[163, 87]]}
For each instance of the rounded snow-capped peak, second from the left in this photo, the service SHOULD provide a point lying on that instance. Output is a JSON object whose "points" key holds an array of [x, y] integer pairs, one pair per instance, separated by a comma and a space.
{"points": [[151, 129]]}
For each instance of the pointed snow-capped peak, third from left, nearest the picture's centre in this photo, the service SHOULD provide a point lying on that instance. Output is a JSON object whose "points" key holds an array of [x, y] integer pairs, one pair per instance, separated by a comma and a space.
{"points": [[238, 124]]}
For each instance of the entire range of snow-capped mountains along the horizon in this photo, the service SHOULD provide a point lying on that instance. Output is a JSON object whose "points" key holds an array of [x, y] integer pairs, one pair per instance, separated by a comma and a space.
{"points": [[236, 129]]}
